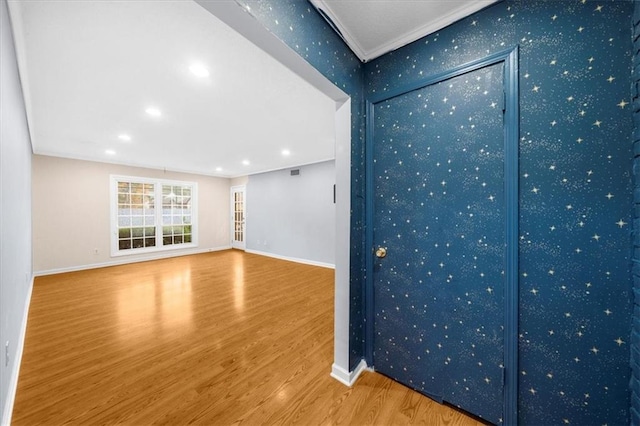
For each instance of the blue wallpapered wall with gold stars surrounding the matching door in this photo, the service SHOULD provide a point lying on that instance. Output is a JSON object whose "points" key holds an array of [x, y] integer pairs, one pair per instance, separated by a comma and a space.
{"points": [[576, 193]]}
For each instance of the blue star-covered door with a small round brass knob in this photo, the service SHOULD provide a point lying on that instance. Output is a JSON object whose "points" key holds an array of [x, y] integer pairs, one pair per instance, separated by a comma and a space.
{"points": [[439, 211]]}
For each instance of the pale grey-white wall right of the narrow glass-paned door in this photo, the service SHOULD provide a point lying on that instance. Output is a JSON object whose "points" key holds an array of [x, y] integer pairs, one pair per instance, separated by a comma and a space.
{"points": [[293, 216]]}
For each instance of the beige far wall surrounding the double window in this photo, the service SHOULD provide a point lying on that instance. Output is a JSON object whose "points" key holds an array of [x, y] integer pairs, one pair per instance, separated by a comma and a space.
{"points": [[71, 213]]}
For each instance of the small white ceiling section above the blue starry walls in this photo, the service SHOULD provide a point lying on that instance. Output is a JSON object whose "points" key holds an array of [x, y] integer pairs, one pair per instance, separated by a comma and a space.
{"points": [[374, 27]]}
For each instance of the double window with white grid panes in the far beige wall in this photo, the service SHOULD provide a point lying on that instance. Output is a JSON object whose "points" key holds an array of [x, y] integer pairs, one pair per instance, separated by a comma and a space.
{"points": [[152, 215]]}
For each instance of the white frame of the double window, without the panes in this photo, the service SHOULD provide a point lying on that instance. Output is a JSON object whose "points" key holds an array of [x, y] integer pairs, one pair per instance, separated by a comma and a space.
{"points": [[158, 183]]}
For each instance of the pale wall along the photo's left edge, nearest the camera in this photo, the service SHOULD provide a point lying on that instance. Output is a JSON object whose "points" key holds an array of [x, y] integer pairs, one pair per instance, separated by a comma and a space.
{"points": [[15, 216]]}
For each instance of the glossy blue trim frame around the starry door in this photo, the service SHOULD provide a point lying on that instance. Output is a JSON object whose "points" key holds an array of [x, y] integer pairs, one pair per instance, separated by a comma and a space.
{"points": [[509, 58]]}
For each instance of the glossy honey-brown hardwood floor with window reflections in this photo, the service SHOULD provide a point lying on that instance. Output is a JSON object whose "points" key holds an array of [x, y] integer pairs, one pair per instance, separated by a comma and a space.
{"points": [[219, 338]]}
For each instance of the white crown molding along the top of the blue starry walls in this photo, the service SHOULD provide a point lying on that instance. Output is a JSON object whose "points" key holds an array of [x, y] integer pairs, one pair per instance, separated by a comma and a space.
{"points": [[403, 39]]}
